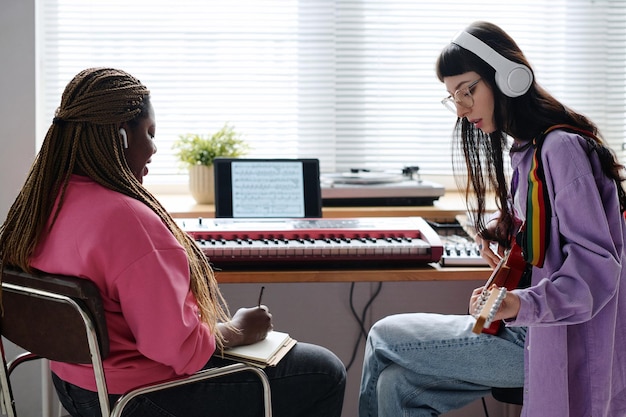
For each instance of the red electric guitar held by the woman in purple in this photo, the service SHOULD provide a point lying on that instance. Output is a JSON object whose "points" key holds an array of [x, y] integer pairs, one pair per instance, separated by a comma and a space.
{"points": [[506, 276]]}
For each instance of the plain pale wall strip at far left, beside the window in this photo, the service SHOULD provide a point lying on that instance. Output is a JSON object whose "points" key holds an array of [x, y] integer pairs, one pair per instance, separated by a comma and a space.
{"points": [[17, 143]]}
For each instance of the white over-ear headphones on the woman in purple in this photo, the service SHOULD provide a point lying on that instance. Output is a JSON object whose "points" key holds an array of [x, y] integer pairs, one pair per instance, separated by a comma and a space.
{"points": [[513, 79]]}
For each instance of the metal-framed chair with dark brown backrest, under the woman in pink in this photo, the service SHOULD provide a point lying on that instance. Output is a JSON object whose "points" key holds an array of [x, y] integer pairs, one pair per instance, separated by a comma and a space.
{"points": [[61, 318]]}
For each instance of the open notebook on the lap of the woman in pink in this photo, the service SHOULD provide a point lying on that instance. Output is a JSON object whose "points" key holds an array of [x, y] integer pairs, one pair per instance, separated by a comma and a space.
{"points": [[267, 352]]}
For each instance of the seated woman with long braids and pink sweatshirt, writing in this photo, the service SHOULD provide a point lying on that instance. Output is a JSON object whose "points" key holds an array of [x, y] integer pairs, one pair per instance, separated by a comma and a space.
{"points": [[83, 211]]}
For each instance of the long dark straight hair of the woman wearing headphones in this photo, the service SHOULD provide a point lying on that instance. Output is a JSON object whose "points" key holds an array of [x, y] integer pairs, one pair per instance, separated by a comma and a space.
{"points": [[478, 159]]}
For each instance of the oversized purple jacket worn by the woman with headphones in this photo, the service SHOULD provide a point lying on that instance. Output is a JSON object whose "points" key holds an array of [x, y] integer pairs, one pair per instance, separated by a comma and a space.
{"points": [[575, 309]]}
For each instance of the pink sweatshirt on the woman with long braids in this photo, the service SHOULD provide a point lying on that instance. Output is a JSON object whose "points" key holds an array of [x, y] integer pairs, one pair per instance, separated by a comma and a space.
{"points": [[143, 275]]}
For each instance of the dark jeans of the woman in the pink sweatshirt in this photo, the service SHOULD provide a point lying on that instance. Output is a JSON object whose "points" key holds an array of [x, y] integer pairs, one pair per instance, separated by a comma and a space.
{"points": [[308, 382]]}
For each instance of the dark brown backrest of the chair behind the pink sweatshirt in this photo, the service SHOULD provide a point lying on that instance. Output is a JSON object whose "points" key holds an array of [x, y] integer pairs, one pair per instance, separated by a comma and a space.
{"points": [[37, 316]]}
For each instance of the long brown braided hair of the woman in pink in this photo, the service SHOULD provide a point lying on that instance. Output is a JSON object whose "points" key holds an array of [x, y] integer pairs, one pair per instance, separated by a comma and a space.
{"points": [[84, 139]]}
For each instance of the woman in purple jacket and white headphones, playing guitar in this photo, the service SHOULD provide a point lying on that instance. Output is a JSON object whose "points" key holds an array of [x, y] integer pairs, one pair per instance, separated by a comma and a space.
{"points": [[565, 326]]}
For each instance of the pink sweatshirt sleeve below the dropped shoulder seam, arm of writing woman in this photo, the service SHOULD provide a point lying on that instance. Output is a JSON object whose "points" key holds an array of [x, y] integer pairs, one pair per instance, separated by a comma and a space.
{"points": [[162, 313]]}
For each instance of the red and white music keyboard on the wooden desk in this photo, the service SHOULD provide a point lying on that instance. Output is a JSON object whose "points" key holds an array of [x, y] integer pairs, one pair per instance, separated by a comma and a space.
{"points": [[319, 243]]}
